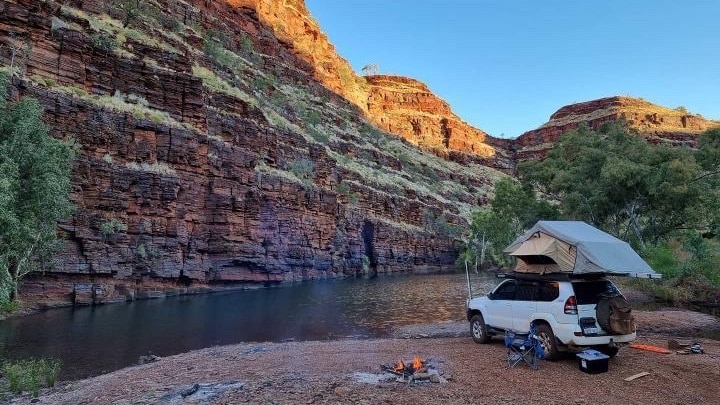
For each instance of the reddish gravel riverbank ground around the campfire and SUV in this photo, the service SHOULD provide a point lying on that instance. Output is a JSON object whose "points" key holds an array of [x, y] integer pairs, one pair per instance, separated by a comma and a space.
{"points": [[348, 371]]}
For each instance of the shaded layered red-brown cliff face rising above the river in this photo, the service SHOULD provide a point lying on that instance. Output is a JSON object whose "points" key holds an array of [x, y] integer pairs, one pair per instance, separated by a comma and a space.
{"points": [[212, 156]]}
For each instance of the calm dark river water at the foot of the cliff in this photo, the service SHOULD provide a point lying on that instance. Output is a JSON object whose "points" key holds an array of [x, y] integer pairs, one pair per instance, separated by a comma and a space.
{"points": [[94, 340]]}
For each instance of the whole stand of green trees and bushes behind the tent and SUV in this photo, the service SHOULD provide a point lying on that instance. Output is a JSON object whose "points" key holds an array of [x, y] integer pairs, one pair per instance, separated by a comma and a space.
{"points": [[663, 200]]}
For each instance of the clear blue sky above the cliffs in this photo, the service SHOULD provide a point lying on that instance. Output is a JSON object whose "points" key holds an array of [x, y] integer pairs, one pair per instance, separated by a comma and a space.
{"points": [[505, 66]]}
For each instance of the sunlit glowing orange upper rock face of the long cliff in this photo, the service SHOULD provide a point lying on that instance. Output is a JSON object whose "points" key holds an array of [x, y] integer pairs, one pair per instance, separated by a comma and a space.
{"points": [[397, 104]]}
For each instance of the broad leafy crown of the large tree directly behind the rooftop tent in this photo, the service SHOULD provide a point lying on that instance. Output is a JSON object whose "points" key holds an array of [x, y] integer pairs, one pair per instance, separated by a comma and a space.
{"points": [[620, 183]]}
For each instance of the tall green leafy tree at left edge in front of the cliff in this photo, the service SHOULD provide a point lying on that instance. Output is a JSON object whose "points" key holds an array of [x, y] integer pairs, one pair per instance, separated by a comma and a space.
{"points": [[34, 189]]}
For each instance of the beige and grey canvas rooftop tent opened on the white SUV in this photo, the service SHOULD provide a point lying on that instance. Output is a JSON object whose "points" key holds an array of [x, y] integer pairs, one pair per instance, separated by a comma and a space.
{"points": [[575, 247]]}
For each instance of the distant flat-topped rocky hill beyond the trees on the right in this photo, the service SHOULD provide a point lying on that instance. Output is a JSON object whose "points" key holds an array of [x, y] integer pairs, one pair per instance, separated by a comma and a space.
{"points": [[656, 123]]}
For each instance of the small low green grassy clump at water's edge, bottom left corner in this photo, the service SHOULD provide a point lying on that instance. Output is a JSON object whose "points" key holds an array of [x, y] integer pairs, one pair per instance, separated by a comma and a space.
{"points": [[30, 375]]}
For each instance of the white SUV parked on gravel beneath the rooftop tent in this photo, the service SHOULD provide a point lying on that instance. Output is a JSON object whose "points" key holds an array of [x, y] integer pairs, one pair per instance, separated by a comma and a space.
{"points": [[563, 309]]}
